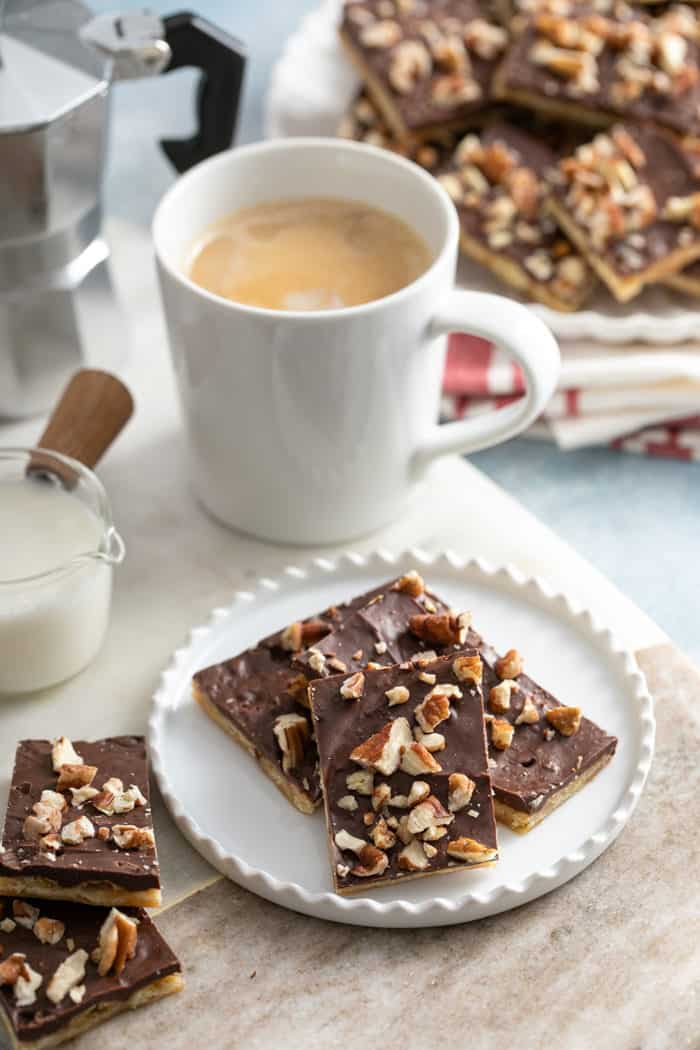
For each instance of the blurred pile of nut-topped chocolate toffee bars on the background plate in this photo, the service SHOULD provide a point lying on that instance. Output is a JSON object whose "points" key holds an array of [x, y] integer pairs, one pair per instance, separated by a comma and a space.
{"points": [[567, 133]]}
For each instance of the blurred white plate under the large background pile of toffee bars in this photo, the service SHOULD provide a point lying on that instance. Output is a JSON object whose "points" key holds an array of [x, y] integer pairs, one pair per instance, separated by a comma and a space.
{"points": [[311, 89]]}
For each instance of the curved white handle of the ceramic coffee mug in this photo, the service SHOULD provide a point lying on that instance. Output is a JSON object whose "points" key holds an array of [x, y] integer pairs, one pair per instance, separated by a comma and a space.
{"points": [[532, 346]]}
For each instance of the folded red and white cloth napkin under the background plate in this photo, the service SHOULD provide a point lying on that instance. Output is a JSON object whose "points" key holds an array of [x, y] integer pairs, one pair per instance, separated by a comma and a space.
{"points": [[638, 400]]}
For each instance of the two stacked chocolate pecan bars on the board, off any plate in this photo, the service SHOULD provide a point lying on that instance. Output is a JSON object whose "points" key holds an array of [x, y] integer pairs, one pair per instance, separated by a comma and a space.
{"points": [[78, 866]]}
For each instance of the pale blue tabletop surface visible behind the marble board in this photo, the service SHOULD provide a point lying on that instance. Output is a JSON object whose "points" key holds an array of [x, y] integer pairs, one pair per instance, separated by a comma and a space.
{"points": [[637, 519]]}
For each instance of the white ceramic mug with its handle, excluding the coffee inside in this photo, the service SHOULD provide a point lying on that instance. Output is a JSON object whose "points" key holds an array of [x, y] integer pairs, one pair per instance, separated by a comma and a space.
{"points": [[317, 428]]}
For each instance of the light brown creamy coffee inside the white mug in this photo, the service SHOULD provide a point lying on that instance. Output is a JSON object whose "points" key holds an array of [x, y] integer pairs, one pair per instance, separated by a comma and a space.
{"points": [[308, 254]]}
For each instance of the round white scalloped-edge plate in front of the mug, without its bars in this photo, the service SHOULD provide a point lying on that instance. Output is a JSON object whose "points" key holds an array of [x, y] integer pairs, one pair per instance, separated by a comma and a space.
{"points": [[239, 822]]}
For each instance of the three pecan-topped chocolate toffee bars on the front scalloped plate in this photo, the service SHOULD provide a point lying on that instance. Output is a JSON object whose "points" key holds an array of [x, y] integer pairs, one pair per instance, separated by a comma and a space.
{"points": [[413, 731]]}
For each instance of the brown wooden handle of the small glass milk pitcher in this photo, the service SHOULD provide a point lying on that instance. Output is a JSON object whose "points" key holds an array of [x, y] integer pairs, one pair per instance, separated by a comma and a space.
{"points": [[95, 407]]}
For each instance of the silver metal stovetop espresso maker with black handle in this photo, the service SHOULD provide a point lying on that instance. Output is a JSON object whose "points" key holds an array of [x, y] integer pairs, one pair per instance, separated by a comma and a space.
{"points": [[57, 66]]}
